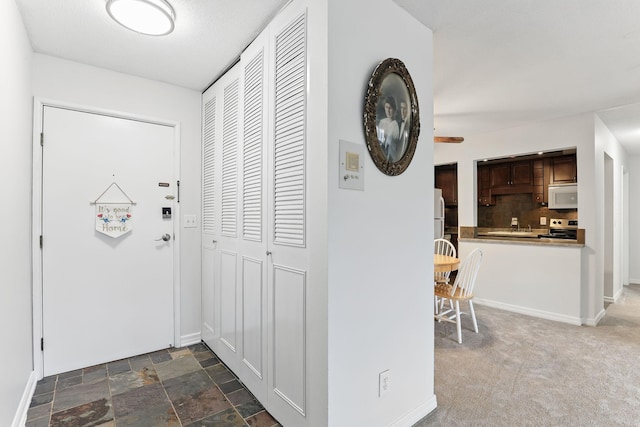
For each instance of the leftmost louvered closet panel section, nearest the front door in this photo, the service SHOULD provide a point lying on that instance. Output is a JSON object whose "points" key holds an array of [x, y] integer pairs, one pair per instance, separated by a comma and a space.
{"points": [[208, 167]]}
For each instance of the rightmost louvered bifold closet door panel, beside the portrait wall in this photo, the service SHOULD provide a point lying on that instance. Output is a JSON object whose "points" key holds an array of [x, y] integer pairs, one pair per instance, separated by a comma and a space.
{"points": [[289, 262]]}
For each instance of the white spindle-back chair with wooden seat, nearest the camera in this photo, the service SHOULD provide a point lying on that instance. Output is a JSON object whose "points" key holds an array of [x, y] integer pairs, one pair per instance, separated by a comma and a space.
{"points": [[460, 290]]}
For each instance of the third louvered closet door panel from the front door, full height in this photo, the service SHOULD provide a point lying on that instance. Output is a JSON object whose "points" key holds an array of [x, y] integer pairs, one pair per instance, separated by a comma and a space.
{"points": [[253, 245]]}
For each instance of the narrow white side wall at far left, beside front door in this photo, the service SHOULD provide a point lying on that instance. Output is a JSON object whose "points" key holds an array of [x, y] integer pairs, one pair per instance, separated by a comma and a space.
{"points": [[15, 214]]}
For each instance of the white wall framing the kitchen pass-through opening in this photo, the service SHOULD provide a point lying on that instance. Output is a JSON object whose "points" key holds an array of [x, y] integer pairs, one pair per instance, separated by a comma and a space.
{"points": [[576, 131]]}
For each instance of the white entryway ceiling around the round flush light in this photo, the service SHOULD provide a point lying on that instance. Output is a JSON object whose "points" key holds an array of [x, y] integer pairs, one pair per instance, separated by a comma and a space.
{"points": [[208, 37]]}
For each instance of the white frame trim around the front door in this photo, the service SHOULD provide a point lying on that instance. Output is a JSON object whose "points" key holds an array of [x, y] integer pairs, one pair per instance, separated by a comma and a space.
{"points": [[37, 280]]}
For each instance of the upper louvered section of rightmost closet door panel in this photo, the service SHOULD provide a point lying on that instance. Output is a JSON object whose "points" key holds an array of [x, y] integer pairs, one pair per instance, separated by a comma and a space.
{"points": [[289, 134]]}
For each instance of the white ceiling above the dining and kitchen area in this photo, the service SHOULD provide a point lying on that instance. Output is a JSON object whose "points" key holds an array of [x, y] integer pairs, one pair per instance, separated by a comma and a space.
{"points": [[503, 63]]}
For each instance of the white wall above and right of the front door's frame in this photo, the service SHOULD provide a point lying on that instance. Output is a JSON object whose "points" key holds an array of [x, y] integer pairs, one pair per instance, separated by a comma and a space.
{"points": [[75, 83]]}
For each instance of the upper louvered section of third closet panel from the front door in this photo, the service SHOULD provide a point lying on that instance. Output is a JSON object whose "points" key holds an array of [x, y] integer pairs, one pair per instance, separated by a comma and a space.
{"points": [[252, 156]]}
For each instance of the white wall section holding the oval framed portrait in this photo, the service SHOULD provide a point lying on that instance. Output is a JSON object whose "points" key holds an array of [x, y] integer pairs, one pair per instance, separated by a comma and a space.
{"points": [[380, 249]]}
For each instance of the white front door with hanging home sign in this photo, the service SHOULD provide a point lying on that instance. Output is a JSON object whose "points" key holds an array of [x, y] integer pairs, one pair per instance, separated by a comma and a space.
{"points": [[105, 298]]}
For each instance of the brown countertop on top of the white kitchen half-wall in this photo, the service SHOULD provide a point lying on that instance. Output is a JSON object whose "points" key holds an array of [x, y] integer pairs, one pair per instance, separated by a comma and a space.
{"points": [[505, 235]]}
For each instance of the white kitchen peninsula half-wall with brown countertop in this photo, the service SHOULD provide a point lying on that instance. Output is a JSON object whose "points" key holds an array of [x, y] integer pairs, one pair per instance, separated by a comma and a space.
{"points": [[526, 274]]}
